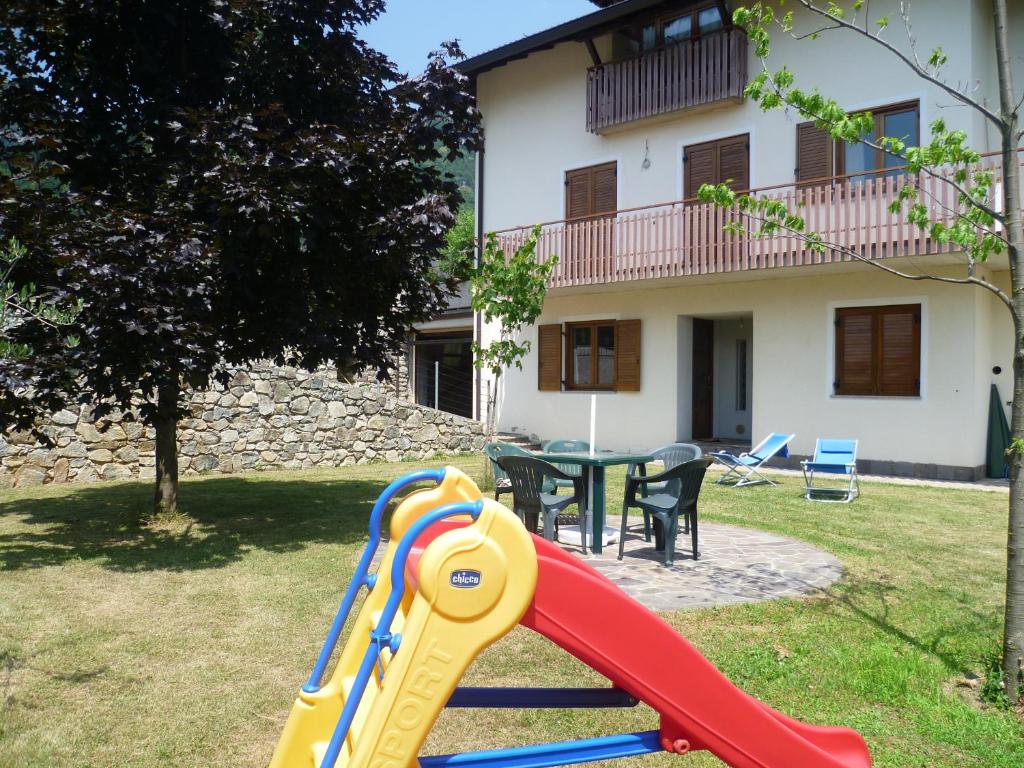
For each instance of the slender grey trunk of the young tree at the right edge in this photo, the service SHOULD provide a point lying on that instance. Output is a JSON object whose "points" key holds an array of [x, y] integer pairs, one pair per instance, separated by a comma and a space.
{"points": [[1013, 636]]}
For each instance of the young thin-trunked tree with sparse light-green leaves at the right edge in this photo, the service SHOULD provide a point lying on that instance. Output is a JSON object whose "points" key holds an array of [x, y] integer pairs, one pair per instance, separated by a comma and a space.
{"points": [[977, 223]]}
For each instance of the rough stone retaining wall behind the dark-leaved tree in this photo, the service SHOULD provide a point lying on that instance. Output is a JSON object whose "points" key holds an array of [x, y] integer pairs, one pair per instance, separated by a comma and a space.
{"points": [[267, 418]]}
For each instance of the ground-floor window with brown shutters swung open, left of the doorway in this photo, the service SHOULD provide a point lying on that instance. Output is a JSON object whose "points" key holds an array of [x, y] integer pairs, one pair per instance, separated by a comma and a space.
{"points": [[599, 355]]}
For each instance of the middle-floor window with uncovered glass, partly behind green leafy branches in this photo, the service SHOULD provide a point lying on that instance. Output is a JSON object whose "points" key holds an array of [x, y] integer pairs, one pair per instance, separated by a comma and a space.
{"points": [[820, 157]]}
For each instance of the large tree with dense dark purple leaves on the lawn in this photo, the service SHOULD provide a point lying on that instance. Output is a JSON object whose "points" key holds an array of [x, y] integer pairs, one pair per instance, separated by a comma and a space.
{"points": [[217, 183]]}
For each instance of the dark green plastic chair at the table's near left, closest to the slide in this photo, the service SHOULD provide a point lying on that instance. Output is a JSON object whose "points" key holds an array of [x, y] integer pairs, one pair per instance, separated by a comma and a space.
{"points": [[529, 477]]}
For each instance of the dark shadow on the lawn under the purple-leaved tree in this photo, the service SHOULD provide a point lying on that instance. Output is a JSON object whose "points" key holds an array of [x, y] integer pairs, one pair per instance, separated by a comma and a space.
{"points": [[229, 517]]}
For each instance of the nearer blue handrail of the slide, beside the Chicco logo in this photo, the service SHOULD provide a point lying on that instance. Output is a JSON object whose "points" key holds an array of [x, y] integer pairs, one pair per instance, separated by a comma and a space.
{"points": [[382, 635]]}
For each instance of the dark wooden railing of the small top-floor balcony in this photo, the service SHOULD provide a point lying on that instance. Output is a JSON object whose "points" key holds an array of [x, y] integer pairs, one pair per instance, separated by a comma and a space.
{"points": [[710, 69]]}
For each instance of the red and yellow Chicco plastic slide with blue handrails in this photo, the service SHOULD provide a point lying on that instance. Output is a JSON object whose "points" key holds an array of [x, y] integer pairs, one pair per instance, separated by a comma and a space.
{"points": [[459, 573]]}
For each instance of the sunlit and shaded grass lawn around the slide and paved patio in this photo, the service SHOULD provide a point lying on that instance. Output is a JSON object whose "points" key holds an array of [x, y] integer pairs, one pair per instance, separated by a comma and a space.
{"points": [[184, 646]]}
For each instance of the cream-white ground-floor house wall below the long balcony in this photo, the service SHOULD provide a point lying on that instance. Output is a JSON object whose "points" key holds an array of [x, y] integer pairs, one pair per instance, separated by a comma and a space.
{"points": [[964, 334]]}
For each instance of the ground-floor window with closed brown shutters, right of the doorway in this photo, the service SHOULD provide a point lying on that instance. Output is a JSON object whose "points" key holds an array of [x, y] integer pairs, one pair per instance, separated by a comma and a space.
{"points": [[878, 351]]}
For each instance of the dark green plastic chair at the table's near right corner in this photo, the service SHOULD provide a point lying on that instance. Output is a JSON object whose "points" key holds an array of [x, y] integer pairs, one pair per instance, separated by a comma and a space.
{"points": [[684, 485]]}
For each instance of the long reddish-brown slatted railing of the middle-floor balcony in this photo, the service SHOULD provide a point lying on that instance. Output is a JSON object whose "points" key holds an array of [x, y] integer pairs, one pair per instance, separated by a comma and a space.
{"points": [[687, 238]]}
